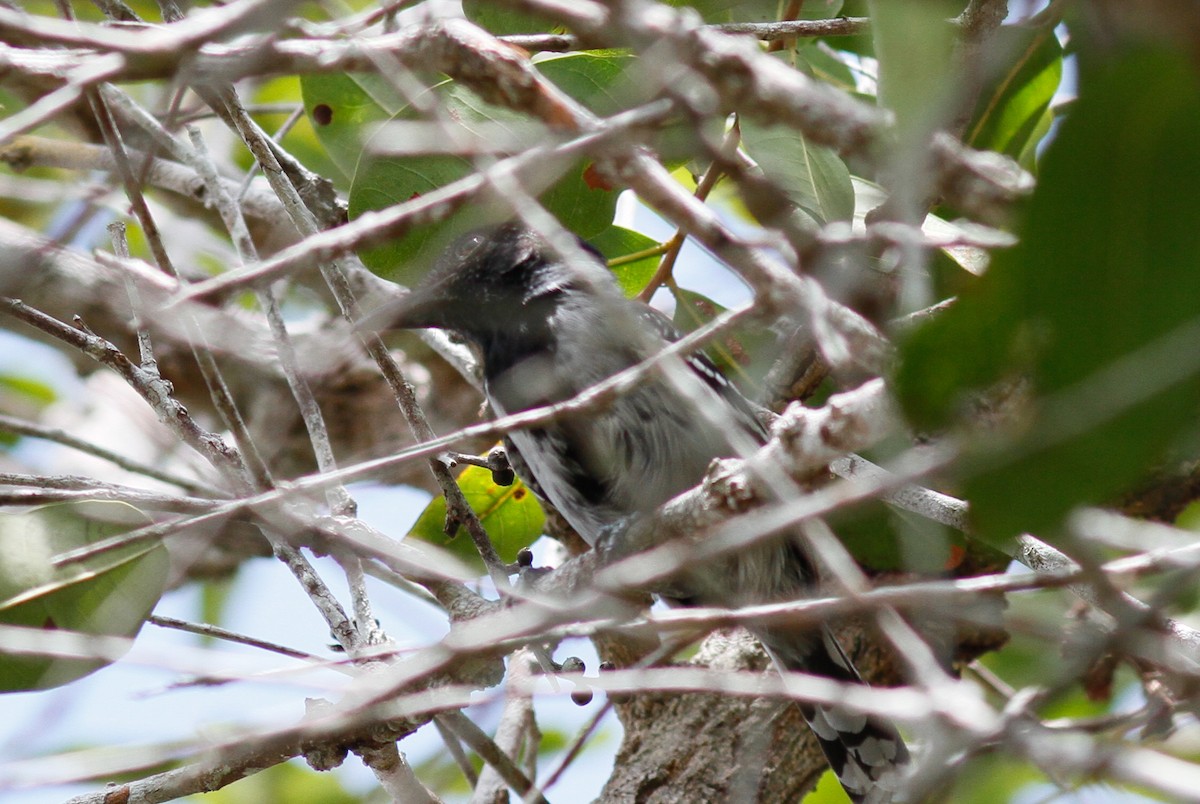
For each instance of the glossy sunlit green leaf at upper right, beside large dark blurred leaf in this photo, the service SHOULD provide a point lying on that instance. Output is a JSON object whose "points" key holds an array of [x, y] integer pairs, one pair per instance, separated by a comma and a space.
{"points": [[1015, 101]]}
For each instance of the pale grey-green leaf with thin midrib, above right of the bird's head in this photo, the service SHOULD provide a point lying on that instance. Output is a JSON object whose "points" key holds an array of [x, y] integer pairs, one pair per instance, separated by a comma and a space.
{"points": [[813, 177]]}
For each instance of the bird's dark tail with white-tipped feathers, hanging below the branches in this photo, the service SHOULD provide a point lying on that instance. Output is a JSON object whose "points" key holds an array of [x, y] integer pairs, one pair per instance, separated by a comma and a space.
{"points": [[867, 754]]}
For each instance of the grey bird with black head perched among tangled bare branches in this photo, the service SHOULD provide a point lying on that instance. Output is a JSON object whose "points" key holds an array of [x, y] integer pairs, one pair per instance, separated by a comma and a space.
{"points": [[550, 323]]}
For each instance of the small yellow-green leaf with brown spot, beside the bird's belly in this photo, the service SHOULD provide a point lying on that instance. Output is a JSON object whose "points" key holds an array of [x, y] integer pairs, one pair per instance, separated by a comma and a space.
{"points": [[512, 517]]}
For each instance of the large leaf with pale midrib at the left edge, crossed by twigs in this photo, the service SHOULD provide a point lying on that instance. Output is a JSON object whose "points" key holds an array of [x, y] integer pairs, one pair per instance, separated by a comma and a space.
{"points": [[109, 595]]}
